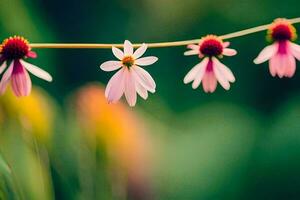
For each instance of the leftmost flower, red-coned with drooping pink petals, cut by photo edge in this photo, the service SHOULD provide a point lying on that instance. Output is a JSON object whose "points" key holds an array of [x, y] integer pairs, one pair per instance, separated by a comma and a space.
{"points": [[13, 50]]}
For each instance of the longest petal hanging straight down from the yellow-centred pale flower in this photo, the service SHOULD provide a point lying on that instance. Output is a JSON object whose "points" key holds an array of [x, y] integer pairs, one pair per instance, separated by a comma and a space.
{"points": [[130, 92]]}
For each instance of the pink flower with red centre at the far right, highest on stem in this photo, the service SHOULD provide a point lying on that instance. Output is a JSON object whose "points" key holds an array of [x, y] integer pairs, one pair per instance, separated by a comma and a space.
{"points": [[282, 53]]}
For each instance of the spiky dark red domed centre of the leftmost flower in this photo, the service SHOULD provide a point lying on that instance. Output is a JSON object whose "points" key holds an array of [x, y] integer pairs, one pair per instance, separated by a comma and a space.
{"points": [[15, 48]]}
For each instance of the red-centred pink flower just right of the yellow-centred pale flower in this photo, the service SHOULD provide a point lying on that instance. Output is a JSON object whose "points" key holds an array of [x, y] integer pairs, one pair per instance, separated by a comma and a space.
{"points": [[210, 70]]}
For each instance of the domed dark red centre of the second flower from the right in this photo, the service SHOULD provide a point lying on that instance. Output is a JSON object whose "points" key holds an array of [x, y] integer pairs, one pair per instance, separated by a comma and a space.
{"points": [[211, 47]]}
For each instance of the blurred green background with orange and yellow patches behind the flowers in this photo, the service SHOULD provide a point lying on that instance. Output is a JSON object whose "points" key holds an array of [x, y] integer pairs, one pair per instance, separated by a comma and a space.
{"points": [[65, 142]]}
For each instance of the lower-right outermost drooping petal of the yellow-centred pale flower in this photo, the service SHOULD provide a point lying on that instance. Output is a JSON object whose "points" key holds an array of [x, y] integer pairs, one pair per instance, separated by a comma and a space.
{"points": [[144, 78]]}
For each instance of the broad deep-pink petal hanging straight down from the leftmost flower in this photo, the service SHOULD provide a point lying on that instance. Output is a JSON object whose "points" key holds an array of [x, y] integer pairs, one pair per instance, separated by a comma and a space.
{"points": [[20, 80]]}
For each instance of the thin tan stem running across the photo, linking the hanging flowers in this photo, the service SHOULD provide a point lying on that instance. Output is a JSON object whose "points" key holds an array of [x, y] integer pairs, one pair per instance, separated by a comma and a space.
{"points": [[154, 45]]}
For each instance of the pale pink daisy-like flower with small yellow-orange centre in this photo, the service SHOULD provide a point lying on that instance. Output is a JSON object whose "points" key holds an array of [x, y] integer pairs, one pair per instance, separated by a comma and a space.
{"points": [[130, 79]]}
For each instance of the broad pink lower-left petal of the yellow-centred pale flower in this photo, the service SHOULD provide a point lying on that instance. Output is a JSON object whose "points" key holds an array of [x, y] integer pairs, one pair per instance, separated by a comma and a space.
{"points": [[115, 87]]}
